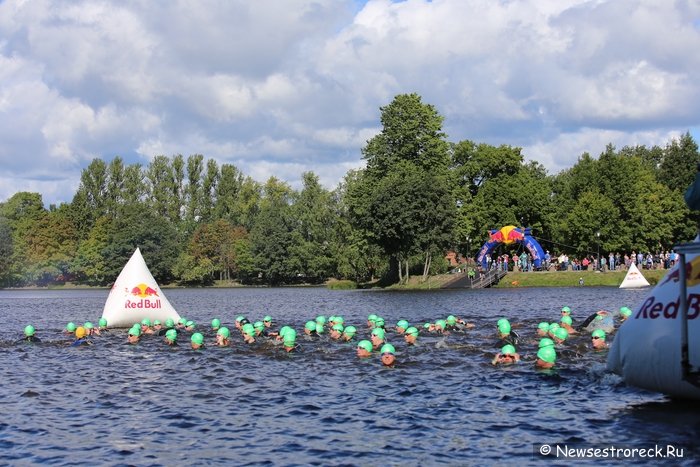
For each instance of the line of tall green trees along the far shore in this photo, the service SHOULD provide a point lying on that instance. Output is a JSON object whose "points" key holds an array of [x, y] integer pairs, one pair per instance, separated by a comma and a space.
{"points": [[419, 195]]}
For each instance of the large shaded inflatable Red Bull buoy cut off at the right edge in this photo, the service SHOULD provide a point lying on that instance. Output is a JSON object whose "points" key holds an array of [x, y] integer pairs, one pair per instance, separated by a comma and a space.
{"points": [[646, 351]]}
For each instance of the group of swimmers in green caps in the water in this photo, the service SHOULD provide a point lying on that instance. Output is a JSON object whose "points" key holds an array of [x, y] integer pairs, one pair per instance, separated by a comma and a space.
{"points": [[372, 338]]}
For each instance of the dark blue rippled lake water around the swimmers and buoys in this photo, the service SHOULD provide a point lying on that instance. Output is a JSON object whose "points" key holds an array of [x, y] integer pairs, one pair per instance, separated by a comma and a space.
{"points": [[442, 403]]}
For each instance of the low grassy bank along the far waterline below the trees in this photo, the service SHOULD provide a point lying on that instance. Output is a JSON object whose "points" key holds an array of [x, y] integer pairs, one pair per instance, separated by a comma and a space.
{"points": [[438, 281]]}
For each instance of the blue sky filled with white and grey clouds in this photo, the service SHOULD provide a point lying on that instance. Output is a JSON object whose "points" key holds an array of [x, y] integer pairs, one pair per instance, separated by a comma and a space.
{"points": [[281, 87]]}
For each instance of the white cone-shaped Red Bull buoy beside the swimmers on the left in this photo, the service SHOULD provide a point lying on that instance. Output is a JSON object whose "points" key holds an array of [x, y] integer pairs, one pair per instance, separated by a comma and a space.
{"points": [[136, 296]]}
